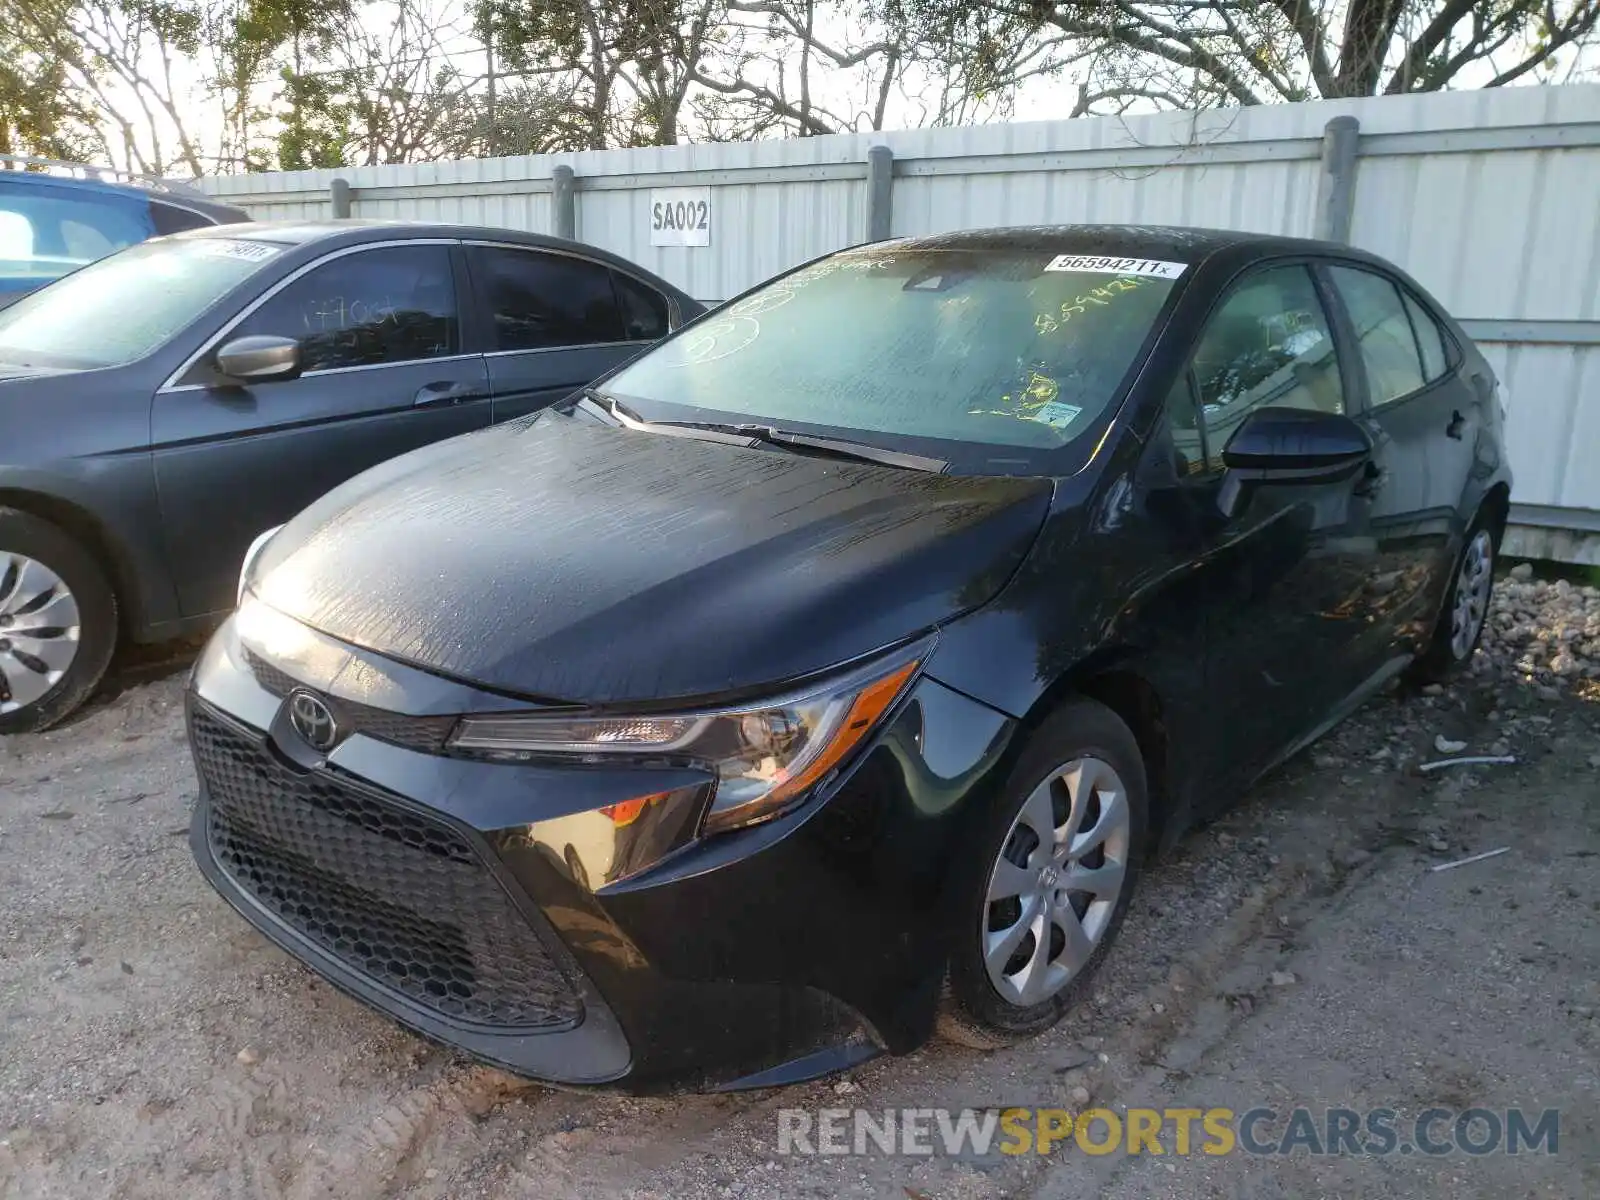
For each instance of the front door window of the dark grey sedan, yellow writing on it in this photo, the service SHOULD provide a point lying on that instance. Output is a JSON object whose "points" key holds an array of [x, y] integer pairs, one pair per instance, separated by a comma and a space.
{"points": [[374, 308]]}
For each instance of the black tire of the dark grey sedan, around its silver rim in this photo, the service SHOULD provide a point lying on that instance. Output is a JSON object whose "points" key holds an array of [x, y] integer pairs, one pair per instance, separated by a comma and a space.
{"points": [[39, 540]]}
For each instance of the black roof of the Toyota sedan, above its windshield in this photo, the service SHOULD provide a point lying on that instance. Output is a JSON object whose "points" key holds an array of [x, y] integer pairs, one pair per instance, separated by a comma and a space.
{"points": [[1172, 244]]}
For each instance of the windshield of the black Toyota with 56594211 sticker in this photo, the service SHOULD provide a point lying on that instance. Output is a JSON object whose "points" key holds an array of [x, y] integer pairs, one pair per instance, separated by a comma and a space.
{"points": [[980, 358]]}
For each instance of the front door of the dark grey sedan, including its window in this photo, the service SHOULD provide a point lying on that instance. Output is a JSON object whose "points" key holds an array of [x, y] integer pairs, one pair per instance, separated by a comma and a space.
{"points": [[383, 374]]}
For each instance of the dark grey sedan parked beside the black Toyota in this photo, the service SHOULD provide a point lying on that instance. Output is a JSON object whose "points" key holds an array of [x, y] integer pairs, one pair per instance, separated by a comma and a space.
{"points": [[164, 406]]}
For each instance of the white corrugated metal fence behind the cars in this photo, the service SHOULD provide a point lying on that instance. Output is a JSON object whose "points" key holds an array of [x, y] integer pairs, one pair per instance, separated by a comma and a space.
{"points": [[1492, 199]]}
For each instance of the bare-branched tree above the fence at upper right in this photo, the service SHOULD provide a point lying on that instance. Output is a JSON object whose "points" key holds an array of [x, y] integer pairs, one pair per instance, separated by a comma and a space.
{"points": [[1198, 54]]}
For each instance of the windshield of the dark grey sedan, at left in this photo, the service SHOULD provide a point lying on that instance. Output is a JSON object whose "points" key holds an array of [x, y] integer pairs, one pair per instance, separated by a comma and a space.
{"points": [[126, 306]]}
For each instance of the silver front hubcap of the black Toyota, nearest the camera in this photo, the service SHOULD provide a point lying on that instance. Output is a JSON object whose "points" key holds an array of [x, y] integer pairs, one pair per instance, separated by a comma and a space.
{"points": [[1057, 882]]}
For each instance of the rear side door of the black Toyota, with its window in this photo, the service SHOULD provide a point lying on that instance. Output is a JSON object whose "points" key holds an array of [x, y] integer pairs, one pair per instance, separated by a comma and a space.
{"points": [[1425, 422]]}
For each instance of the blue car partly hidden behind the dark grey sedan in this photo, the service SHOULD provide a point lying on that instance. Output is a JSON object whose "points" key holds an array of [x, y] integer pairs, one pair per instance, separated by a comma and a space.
{"points": [[55, 223]]}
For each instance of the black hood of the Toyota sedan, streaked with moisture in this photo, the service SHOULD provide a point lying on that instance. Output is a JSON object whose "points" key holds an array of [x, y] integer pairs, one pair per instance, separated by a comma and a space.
{"points": [[567, 561]]}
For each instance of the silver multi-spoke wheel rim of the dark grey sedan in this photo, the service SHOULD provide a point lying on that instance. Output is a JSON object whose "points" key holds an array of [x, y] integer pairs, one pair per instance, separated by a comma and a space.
{"points": [[39, 631]]}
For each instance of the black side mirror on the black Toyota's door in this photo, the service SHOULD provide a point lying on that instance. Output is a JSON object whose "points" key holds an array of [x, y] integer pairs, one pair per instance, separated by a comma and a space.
{"points": [[1282, 447]]}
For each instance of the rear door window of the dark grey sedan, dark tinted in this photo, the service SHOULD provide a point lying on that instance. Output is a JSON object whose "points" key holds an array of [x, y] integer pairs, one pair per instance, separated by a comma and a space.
{"points": [[543, 302]]}
